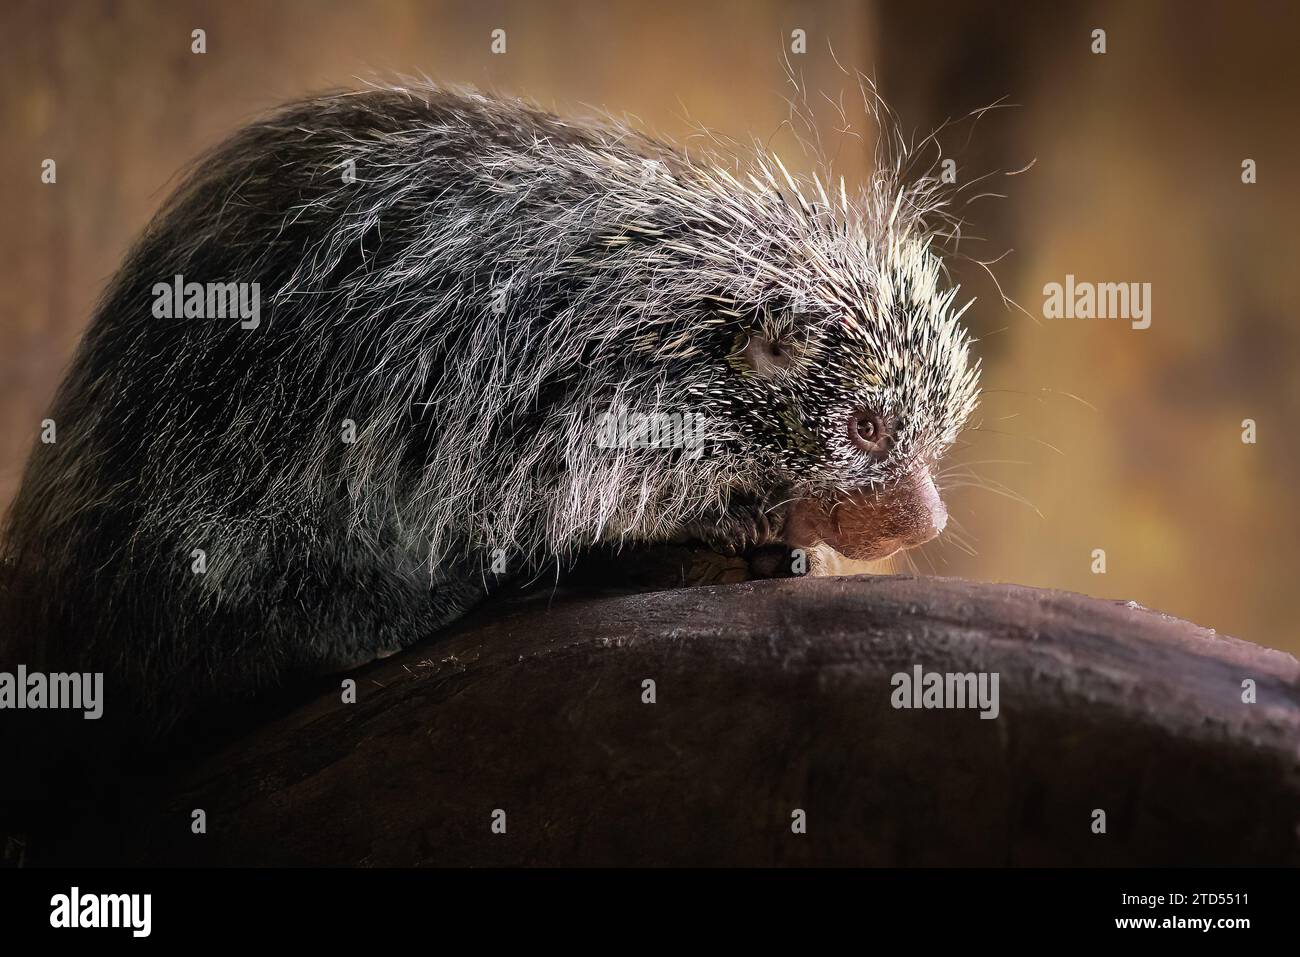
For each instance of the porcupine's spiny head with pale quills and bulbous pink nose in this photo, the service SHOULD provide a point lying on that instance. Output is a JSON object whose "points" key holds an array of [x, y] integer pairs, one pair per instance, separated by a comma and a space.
{"points": [[826, 358]]}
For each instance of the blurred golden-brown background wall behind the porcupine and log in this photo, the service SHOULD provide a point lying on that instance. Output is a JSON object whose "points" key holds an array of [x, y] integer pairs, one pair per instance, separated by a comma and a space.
{"points": [[1126, 441]]}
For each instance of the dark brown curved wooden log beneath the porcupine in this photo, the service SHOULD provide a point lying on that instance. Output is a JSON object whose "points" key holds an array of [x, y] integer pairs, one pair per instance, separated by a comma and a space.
{"points": [[770, 698]]}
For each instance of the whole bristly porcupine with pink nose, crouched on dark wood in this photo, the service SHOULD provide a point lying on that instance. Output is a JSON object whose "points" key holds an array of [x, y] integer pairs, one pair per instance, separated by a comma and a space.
{"points": [[471, 284]]}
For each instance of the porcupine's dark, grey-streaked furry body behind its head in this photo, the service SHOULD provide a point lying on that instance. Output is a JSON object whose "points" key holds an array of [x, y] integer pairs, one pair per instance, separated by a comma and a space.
{"points": [[437, 302]]}
